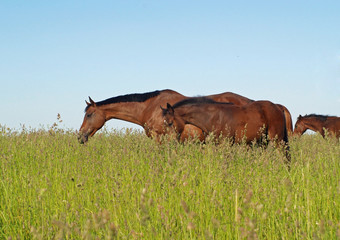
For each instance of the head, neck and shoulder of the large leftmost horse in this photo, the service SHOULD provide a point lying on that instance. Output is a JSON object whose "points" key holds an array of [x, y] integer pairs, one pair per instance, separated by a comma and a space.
{"points": [[142, 109]]}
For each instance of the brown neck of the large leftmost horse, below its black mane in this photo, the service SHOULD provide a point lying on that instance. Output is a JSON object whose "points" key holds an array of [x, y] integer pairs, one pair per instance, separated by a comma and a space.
{"points": [[127, 111]]}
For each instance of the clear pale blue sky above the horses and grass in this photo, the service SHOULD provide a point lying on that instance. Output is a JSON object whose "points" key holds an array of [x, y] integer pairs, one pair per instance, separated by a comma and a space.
{"points": [[54, 54]]}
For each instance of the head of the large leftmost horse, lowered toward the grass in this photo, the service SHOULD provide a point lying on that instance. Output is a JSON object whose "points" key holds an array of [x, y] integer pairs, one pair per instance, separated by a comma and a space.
{"points": [[94, 120]]}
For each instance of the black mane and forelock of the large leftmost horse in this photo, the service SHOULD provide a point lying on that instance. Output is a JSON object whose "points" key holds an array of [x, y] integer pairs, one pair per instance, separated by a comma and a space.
{"points": [[135, 97]]}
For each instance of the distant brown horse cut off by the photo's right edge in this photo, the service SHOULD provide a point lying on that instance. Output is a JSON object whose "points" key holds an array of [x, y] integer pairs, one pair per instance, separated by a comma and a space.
{"points": [[318, 123]]}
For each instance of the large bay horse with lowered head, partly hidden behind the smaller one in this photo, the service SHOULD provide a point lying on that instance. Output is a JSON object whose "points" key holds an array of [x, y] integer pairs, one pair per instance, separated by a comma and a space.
{"points": [[143, 109]]}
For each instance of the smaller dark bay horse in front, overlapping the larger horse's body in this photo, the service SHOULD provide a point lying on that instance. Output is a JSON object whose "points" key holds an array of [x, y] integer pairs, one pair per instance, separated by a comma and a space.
{"points": [[248, 122]]}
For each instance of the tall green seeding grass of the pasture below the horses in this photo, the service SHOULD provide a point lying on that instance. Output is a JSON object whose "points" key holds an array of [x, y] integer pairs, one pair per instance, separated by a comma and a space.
{"points": [[123, 185]]}
